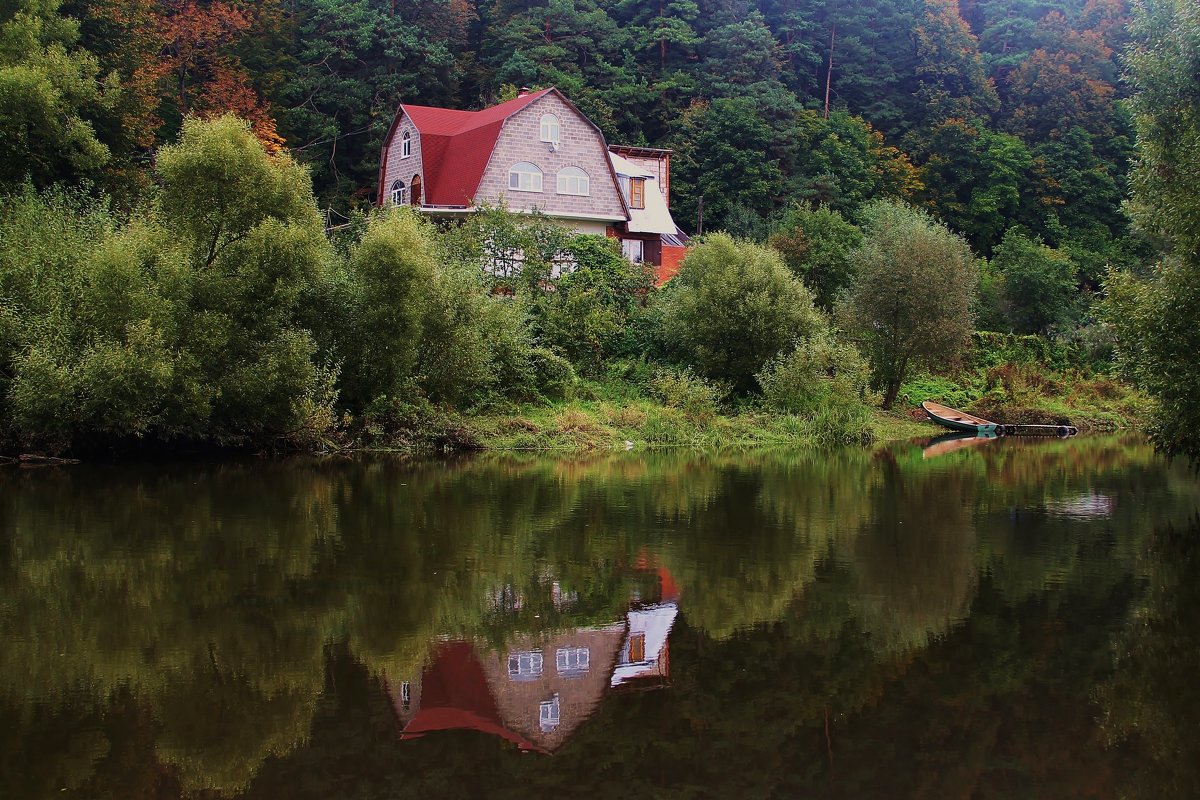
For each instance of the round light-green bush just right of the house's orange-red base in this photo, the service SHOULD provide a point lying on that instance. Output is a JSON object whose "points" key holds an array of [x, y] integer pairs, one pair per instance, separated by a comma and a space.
{"points": [[733, 308]]}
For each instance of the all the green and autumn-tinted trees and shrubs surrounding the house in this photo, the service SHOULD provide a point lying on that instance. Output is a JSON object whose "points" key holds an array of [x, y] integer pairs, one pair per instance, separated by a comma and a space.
{"points": [[1021, 141]]}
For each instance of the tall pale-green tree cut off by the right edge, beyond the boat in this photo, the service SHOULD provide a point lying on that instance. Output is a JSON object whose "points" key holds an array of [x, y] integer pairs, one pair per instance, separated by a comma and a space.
{"points": [[1156, 320]]}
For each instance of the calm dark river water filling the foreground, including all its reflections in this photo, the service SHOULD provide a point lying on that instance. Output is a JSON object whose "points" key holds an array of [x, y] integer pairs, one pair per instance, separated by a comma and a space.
{"points": [[1019, 619]]}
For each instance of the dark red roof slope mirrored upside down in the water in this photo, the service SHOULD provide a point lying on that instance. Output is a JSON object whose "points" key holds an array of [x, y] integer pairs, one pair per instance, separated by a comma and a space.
{"points": [[455, 696]]}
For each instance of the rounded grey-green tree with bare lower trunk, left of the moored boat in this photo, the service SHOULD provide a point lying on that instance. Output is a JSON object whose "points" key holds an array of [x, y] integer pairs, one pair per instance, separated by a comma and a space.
{"points": [[911, 300]]}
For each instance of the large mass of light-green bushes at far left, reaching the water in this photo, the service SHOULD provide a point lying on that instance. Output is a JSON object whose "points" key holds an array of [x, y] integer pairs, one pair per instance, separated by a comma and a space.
{"points": [[183, 323]]}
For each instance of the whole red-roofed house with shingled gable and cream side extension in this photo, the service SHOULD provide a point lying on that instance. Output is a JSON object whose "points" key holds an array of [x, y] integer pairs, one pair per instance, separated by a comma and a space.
{"points": [[535, 153]]}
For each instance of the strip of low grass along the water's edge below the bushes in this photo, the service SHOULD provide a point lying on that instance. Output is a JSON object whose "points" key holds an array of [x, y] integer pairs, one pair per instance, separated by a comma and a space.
{"points": [[619, 416]]}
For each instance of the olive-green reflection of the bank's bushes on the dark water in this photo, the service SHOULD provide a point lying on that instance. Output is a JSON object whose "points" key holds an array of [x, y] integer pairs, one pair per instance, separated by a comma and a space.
{"points": [[206, 599]]}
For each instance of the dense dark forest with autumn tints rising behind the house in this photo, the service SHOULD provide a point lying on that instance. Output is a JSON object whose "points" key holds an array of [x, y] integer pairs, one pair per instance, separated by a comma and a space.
{"points": [[992, 112]]}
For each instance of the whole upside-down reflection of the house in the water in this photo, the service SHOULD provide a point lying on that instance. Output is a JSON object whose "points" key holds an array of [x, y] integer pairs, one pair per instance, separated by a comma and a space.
{"points": [[541, 688]]}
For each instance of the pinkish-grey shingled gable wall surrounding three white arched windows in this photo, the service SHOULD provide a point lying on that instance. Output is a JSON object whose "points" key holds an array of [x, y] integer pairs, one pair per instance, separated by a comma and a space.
{"points": [[581, 146]]}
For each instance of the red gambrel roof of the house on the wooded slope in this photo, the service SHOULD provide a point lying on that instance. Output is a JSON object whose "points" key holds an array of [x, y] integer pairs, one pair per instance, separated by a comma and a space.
{"points": [[457, 147]]}
